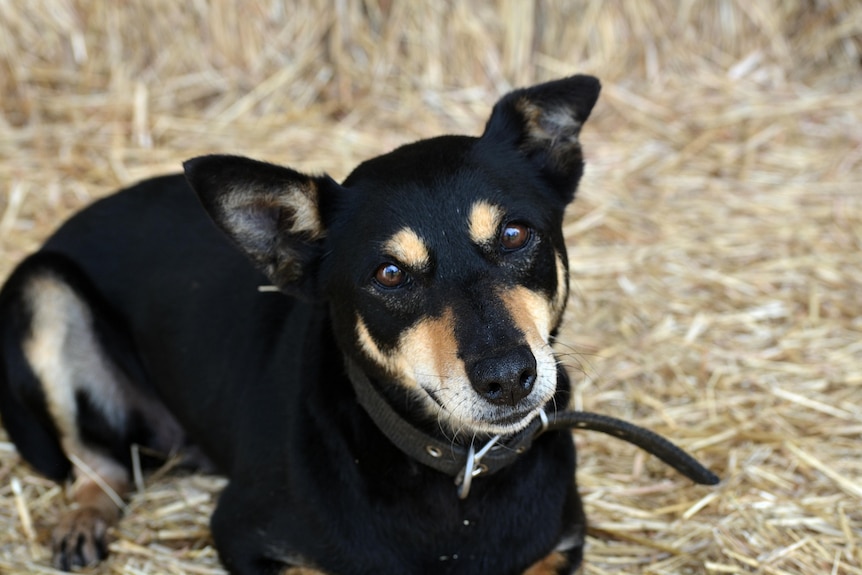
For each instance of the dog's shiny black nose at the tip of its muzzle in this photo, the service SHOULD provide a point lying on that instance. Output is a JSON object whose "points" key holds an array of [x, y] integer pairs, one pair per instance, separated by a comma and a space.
{"points": [[506, 379]]}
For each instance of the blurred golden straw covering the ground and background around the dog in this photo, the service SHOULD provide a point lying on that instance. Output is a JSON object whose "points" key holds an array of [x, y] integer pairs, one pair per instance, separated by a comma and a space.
{"points": [[715, 244]]}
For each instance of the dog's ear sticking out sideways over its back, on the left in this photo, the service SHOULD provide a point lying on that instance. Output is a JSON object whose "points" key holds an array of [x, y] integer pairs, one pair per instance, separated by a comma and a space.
{"points": [[273, 213]]}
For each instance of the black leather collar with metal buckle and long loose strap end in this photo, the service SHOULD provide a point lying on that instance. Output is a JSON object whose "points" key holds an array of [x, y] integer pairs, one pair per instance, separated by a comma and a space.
{"points": [[454, 460]]}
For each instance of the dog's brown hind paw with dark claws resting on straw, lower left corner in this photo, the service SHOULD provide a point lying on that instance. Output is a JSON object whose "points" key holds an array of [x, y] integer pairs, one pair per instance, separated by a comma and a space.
{"points": [[80, 539]]}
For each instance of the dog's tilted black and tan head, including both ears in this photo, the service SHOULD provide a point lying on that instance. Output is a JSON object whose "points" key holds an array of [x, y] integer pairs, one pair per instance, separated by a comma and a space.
{"points": [[443, 262]]}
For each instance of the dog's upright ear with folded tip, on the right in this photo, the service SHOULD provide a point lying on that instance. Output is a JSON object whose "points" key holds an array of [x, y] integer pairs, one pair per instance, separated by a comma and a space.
{"points": [[543, 123]]}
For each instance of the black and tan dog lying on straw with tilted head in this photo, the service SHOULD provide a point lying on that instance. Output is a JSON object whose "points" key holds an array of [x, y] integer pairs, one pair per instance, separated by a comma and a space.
{"points": [[419, 301]]}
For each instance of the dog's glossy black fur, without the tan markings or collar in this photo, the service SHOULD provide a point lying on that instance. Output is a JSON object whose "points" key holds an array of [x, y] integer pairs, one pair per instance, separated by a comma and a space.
{"points": [[257, 380]]}
